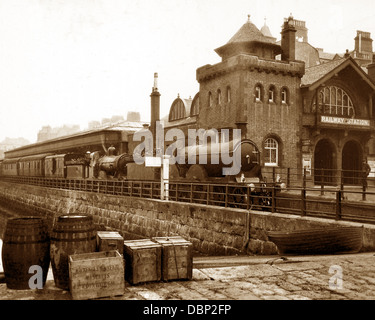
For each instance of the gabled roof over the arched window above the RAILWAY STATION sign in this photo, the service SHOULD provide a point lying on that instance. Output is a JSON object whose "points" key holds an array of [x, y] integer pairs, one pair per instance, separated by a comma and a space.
{"points": [[317, 75]]}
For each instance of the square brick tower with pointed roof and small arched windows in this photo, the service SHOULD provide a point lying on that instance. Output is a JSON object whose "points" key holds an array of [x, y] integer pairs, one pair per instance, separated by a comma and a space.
{"points": [[258, 92]]}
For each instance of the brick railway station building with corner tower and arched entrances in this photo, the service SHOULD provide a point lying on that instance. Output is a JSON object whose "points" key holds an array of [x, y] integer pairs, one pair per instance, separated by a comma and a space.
{"points": [[316, 114]]}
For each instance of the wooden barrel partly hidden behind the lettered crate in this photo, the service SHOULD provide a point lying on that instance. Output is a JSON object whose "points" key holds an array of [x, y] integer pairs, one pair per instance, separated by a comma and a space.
{"points": [[71, 234]]}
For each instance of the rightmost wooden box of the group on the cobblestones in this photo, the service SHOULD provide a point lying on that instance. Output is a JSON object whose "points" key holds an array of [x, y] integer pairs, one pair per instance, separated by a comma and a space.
{"points": [[176, 257]]}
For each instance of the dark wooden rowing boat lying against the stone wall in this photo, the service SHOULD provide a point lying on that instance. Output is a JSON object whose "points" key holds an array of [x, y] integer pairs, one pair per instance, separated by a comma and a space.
{"points": [[325, 240]]}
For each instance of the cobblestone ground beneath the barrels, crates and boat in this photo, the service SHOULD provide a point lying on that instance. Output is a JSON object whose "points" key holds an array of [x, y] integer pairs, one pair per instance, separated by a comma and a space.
{"points": [[334, 277]]}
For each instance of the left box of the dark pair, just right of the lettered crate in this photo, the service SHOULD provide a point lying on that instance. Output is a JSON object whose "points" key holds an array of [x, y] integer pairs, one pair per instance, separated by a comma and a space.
{"points": [[142, 261]]}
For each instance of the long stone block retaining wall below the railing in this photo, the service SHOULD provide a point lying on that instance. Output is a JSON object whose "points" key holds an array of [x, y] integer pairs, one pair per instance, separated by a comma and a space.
{"points": [[212, 230]]}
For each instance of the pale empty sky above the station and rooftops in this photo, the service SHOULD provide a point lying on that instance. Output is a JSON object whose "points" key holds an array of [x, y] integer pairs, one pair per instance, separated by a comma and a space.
{"points": [[75, 61]]}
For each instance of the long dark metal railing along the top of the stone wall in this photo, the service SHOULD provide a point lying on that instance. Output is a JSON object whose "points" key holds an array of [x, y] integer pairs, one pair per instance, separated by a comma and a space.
{"points": [[355, 202]]}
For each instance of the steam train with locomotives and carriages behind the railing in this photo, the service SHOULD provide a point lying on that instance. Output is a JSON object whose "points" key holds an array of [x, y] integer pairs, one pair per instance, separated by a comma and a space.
{"points": [[247, 182]]}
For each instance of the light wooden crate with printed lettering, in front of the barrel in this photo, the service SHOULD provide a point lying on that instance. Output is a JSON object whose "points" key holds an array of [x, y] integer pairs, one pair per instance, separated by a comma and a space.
{"points": [[95, 275]]}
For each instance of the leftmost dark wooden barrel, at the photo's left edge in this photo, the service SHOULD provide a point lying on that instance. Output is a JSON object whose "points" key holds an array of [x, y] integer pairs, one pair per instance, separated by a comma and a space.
{"points": [[25, 244]]}
